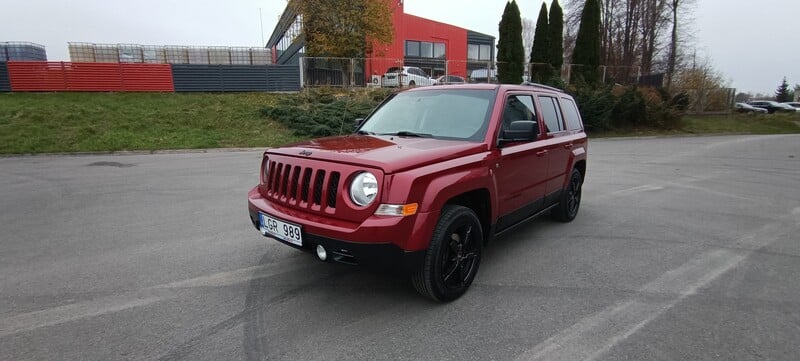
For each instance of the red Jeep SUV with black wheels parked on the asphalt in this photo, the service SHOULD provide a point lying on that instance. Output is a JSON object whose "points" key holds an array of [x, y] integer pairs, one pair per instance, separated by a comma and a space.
{"points": [[427, 180]]}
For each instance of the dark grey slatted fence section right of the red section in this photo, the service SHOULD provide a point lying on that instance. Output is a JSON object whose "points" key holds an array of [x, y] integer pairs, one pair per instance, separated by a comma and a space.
{"points": [[235, 78]]}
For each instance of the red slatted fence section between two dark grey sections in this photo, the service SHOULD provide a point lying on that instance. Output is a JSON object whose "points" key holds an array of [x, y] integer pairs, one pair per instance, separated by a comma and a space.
{"points": [[66, 76]]}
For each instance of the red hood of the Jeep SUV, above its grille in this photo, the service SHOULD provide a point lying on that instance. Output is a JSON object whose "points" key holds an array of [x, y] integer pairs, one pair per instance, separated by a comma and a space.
{"points": [[390, 153]]}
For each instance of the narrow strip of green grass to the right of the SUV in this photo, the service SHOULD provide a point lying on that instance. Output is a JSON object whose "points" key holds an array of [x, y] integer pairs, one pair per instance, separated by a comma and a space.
{"points": [[720, 124]]}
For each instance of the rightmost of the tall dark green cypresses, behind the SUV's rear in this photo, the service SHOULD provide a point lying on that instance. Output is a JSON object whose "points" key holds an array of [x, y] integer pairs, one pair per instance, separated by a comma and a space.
{"points": [[586, 56]]}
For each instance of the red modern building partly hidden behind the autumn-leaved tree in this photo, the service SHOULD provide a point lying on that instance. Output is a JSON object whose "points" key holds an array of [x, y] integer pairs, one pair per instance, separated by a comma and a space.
{"points": [[435, 47]]}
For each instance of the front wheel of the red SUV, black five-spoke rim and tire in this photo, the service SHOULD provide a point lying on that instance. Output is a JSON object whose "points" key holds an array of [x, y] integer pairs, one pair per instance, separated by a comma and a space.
{"points": [[453, 255]]}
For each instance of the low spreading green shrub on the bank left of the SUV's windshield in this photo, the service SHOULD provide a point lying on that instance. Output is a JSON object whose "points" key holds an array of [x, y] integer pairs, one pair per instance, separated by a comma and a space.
{"points": [[324, 112]]}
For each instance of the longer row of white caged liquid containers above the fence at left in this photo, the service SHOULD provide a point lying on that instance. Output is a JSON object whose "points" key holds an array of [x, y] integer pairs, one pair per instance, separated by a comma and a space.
{"points": [[161, 54]]}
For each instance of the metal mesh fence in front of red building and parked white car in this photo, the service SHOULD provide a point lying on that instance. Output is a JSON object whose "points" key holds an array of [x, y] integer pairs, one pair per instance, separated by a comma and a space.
{"points": [[372, 72]]}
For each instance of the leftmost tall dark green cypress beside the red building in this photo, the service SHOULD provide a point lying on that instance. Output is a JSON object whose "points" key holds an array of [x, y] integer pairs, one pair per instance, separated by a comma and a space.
{"points": [[510, 52]]}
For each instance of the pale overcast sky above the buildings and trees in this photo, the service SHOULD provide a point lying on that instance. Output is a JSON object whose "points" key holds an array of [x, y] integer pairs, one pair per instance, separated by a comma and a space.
{"points": [[754, 44]]}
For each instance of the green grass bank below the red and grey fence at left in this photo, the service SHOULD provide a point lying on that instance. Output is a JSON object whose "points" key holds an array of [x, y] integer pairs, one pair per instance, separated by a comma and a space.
{"points": [[99, 122]]}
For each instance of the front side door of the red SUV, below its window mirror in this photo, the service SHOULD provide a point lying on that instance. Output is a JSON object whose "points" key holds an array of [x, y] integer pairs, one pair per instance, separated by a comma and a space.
{"points": [[520, 168]]}
